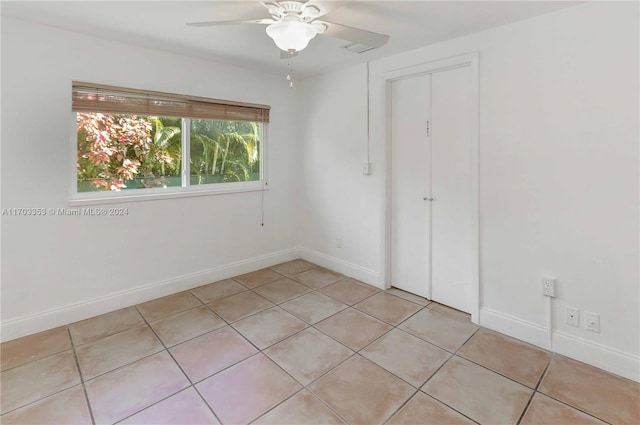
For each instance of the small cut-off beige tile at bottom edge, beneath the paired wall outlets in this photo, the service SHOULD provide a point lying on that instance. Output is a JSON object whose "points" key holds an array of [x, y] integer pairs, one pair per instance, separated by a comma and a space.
{"points": [[545, 410]]}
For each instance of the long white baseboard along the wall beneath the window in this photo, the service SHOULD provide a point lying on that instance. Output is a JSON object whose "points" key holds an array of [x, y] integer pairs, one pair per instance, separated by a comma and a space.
{"points": [[26, 325]]}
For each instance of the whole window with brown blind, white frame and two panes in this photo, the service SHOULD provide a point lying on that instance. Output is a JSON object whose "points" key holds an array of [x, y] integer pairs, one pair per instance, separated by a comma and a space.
{"points": [[132, 142]]}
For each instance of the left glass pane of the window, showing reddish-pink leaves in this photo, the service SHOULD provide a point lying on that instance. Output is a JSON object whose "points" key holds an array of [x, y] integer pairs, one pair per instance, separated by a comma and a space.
{"points": [[120, 152]]}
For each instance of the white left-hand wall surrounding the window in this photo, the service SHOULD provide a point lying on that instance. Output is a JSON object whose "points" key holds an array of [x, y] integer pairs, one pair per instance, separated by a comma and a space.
{"points": [[59, 269]]}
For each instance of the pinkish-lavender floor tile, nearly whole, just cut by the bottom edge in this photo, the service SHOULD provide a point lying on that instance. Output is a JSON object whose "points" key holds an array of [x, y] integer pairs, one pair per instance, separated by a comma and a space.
{"points": [[245, 391]]}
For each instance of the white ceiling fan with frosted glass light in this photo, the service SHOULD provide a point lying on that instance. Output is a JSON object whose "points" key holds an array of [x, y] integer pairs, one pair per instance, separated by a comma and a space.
{"points": [[294, 23]]}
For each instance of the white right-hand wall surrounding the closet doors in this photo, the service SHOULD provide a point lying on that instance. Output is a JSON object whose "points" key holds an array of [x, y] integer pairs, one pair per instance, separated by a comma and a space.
{"points": [[558, 175]]}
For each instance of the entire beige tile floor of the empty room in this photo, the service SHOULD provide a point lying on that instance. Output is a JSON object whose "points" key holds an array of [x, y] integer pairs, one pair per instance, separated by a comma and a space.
{"points": [[298, 344]]}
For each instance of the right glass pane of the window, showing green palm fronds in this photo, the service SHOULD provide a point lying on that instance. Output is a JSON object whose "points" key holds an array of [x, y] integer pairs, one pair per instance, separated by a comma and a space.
{"points": [[224, 151]]}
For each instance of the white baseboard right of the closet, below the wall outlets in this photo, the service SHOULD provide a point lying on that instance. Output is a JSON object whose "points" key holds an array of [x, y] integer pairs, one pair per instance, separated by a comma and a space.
{"points": [[607, 358]]}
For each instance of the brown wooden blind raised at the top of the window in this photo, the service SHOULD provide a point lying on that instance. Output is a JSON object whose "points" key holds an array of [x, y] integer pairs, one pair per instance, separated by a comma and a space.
{"points": [[89, 97]]}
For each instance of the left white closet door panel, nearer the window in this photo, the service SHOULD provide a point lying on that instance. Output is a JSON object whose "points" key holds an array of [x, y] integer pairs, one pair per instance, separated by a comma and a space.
{"points": [[410, 184]]}
